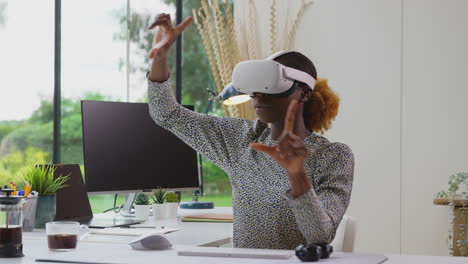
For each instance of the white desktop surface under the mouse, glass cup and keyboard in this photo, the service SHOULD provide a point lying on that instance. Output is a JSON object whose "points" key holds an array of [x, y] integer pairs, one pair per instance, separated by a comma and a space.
{"points": [[114, 249]]}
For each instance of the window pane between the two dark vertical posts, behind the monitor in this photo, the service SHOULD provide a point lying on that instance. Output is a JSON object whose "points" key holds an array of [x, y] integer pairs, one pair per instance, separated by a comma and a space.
{"points": [[94, 65]]}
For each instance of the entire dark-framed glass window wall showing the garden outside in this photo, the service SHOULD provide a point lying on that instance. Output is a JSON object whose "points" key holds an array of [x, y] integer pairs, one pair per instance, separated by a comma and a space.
{"points": [[102, 58]]}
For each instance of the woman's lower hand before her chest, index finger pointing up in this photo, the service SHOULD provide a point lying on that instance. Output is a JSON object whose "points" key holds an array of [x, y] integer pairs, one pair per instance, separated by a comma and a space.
{"points": [[290, 151]]}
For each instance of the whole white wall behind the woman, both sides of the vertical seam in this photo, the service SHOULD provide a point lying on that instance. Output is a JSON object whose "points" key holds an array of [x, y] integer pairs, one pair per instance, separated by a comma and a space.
{"points": [[401, 115]]}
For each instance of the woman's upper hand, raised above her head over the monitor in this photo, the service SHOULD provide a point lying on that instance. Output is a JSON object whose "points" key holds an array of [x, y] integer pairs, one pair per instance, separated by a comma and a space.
{"points": [[165, 34]]}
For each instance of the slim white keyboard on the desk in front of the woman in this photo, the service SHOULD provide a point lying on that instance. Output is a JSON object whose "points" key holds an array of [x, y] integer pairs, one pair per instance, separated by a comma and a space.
{"points": [[238, 253]]}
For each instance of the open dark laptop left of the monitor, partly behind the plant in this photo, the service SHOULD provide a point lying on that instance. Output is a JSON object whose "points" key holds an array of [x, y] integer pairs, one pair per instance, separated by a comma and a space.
{"points": [[73, 203]]}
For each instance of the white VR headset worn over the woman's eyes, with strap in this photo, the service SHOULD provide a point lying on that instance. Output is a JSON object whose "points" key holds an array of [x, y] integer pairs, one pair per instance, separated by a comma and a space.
{"points": [[268, 77]]}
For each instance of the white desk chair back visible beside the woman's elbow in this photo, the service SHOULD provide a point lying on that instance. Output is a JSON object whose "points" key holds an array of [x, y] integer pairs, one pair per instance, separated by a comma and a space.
{"points": [[345, 235]]}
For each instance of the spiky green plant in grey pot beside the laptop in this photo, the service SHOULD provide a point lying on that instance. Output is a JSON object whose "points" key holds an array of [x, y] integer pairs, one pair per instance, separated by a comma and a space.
{"points": [[42, 180]]}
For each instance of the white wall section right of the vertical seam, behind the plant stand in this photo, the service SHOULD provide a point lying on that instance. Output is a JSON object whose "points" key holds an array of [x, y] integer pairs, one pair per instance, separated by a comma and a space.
{"points": [[435, 115]]}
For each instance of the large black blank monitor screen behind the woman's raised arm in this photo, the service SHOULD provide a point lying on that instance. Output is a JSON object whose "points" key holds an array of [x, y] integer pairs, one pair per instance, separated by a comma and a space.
{"points": [[125, 150]]}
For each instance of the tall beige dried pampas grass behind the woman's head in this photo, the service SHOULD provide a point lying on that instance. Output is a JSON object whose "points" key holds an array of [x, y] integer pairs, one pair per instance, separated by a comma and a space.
{"points": [[225, 47]]}
